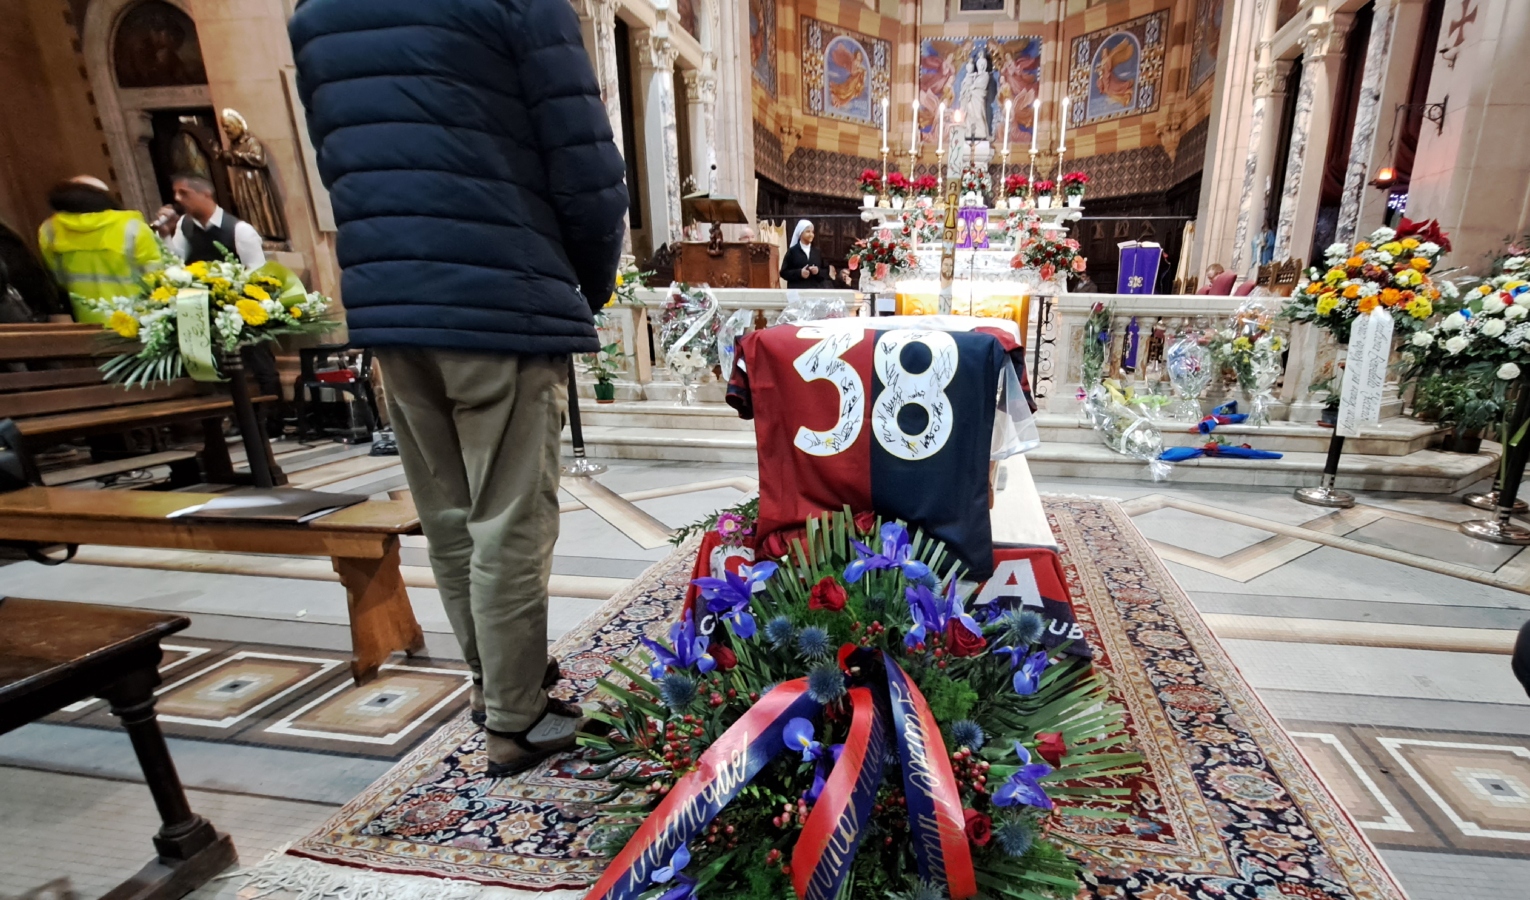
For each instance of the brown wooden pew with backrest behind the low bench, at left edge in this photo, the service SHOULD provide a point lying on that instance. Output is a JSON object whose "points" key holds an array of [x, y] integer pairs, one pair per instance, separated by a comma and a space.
{"points": [[53, 386]]}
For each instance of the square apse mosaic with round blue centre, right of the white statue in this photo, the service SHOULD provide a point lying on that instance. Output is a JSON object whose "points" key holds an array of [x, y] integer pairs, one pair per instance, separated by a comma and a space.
{"points": [[1118, 71]]}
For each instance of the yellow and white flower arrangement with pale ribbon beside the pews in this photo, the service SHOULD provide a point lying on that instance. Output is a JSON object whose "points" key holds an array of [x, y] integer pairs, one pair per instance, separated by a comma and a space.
{"points": [[244, 307]]}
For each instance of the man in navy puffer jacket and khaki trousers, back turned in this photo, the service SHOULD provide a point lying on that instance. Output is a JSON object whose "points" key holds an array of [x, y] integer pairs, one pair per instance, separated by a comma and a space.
{"points": [[481, 200]]}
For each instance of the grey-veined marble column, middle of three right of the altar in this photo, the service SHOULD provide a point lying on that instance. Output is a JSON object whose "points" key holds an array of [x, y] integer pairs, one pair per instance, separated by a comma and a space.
{"points": [[1323, 56]]}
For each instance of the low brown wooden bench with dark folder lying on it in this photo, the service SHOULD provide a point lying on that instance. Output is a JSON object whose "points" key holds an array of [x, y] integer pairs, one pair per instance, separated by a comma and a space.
{"points": [[362, 541]]}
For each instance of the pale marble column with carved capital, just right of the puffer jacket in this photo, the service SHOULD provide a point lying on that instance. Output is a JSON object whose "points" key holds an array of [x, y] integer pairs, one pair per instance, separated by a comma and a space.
{"points": [[660, 134]]}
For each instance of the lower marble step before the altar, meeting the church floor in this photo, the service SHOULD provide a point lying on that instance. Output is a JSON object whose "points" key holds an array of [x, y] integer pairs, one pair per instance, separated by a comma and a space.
{"points": [[1419, 472]]}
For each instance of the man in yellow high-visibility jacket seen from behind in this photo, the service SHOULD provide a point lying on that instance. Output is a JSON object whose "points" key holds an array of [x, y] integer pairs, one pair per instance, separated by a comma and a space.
{"points": [[93, 249]]}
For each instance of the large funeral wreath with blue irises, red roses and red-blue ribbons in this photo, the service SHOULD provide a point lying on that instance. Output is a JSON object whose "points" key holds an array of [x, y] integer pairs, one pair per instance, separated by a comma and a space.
{"points": [[856, 671]]}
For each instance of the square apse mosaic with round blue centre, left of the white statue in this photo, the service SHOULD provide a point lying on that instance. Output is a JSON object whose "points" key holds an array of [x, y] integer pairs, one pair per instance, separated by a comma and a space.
{"points": [[845, 74]]}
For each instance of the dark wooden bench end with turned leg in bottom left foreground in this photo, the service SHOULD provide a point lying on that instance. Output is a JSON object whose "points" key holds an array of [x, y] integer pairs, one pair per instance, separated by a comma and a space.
{"points": [[56, 654]]}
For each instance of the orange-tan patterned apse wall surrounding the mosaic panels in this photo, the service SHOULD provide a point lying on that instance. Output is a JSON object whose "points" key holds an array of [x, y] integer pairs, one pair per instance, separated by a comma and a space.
{"points": [[1133, 155]]}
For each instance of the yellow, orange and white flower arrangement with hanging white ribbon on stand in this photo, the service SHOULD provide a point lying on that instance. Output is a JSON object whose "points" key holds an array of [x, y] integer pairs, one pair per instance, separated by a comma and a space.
{"points": [[1388, 272]]}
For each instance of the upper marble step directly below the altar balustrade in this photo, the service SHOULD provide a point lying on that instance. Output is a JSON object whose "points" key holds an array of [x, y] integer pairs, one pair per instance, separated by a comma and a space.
{"points": [[1395, 437]]}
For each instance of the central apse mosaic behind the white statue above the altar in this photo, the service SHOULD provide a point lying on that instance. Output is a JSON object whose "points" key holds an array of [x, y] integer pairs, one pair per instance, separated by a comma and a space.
{"points": [[978, 76]]}
